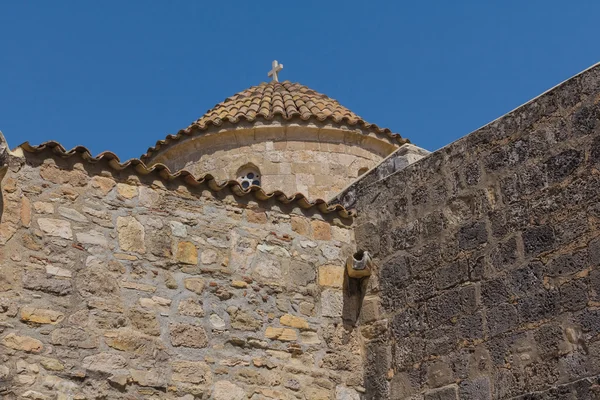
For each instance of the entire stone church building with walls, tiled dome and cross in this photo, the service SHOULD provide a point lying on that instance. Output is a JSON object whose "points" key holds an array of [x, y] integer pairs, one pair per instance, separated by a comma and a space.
{"points": [[281, 247]]}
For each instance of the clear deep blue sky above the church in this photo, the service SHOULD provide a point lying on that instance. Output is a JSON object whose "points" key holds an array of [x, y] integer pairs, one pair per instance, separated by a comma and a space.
{"points": [[119, 75]]}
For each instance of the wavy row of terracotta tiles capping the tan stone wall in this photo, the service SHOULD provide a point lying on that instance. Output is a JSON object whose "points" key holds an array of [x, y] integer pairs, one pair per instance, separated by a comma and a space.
{"points": [[138, 166]]}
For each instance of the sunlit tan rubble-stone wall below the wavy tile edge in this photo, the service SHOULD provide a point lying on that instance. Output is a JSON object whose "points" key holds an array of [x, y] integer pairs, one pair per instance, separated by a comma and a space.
{"points": [[120, 286]]}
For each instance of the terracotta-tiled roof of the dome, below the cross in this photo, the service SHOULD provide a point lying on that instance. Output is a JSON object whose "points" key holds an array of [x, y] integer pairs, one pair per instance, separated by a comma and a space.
{"points": [[277, 99]]}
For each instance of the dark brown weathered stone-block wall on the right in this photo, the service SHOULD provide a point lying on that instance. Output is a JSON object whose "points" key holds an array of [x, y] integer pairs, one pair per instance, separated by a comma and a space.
{"points": [[489, 259]]}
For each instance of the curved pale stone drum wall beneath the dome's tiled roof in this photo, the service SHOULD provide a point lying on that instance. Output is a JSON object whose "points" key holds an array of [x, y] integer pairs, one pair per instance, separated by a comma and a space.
{"points": [[312, 160]]}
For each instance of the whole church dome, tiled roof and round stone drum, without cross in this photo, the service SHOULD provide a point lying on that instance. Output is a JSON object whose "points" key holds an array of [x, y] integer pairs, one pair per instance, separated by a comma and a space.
{"points": [[281, 136]]}
